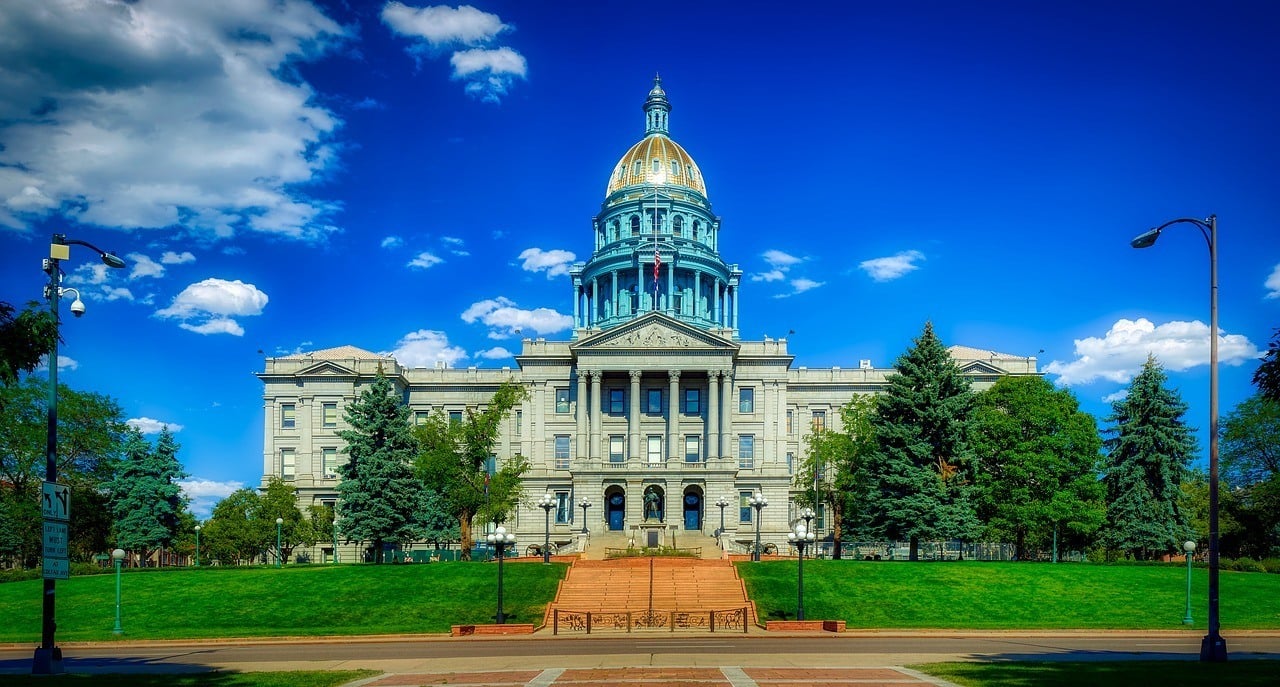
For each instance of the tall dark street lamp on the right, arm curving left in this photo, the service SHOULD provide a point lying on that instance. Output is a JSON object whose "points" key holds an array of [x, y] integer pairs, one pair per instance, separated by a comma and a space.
{"points": [[1213, 647]]}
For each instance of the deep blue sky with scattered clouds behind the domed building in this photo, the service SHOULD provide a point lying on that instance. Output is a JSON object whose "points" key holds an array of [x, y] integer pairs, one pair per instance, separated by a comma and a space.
{"points": [[286, 176]]}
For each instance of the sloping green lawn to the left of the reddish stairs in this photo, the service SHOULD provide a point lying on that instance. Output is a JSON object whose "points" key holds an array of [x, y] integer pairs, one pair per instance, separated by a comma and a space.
{"points": [[307, 601]]}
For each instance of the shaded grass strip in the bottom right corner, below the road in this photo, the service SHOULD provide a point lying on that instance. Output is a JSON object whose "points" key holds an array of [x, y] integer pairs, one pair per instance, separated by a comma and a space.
{"points": [[1237, 674]]}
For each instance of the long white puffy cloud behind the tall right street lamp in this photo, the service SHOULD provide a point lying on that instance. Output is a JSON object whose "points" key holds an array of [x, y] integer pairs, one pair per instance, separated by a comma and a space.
{"points": [[1121, 354]]}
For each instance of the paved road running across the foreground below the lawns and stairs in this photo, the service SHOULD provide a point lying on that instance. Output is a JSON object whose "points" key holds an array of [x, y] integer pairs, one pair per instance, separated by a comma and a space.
{"points": [[438, 654]]}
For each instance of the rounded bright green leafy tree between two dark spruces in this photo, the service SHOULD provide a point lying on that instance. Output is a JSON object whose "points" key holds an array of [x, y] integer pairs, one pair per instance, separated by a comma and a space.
{"points": [[1039, 456]]}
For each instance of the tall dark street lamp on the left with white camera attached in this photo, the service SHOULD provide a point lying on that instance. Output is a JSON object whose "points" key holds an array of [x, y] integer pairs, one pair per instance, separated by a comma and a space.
{"points": [[49, 657]]}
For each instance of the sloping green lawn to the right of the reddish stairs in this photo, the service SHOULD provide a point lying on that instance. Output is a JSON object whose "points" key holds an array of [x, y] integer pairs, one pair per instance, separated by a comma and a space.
{"points": [[1008, 596]]}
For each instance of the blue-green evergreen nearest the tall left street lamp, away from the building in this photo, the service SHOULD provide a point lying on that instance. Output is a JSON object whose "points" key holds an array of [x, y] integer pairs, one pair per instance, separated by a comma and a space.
{"points": [[147, 498]]}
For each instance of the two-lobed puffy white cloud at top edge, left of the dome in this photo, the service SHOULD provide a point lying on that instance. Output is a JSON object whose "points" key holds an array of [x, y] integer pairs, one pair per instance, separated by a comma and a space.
{"points": [[488, 74]]}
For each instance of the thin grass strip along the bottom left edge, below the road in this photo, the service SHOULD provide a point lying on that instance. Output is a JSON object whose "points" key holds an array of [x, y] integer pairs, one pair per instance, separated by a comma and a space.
{"points": [[301, 679]]}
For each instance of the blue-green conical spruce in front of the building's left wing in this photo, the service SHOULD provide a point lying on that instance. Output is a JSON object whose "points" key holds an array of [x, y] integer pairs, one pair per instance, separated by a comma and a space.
{"points": [[381, 497]]}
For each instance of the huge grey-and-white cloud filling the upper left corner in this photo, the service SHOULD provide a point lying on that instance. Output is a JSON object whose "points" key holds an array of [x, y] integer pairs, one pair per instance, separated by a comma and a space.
{"points": [[163, 114]]}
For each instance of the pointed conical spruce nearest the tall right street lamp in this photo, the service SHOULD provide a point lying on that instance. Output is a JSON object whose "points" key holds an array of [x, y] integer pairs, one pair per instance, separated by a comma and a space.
{"points": [[1149, 450]]}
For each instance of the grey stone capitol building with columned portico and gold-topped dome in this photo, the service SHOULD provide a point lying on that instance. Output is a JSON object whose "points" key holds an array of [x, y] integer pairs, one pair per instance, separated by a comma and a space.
{"points": [[655, 411]]}
